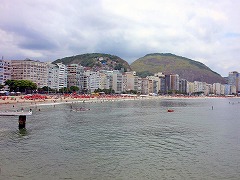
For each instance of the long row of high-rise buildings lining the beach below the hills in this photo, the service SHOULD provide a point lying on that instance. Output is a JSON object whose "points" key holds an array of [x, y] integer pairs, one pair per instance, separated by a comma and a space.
{"points": [[58, 76]]}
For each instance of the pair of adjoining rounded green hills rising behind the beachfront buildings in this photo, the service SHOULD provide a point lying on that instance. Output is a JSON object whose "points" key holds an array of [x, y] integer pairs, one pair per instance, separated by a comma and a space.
{"points": [[148, 65]]}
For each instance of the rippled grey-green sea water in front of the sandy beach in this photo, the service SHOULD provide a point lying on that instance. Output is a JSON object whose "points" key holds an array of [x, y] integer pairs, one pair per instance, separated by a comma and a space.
{"points": [[135, 139]]}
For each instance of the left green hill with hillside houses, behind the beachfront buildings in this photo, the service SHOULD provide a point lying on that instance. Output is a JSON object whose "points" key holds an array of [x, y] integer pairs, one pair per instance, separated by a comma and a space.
{"points": [[96, 61]]}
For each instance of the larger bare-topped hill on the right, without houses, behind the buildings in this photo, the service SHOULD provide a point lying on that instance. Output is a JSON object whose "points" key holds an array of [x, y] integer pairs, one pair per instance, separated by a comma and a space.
{"points": [[169, 63]]}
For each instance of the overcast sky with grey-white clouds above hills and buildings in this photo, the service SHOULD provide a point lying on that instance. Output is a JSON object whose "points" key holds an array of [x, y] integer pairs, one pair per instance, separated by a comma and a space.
{"points": [[207, 31]]}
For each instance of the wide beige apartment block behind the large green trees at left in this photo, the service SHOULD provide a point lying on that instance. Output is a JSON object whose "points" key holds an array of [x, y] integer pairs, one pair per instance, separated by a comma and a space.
{"points": [[34, 71]]}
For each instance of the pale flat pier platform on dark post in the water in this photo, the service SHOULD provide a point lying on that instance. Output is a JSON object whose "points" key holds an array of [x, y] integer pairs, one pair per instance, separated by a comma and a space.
{"points": [[22, 117]]}
